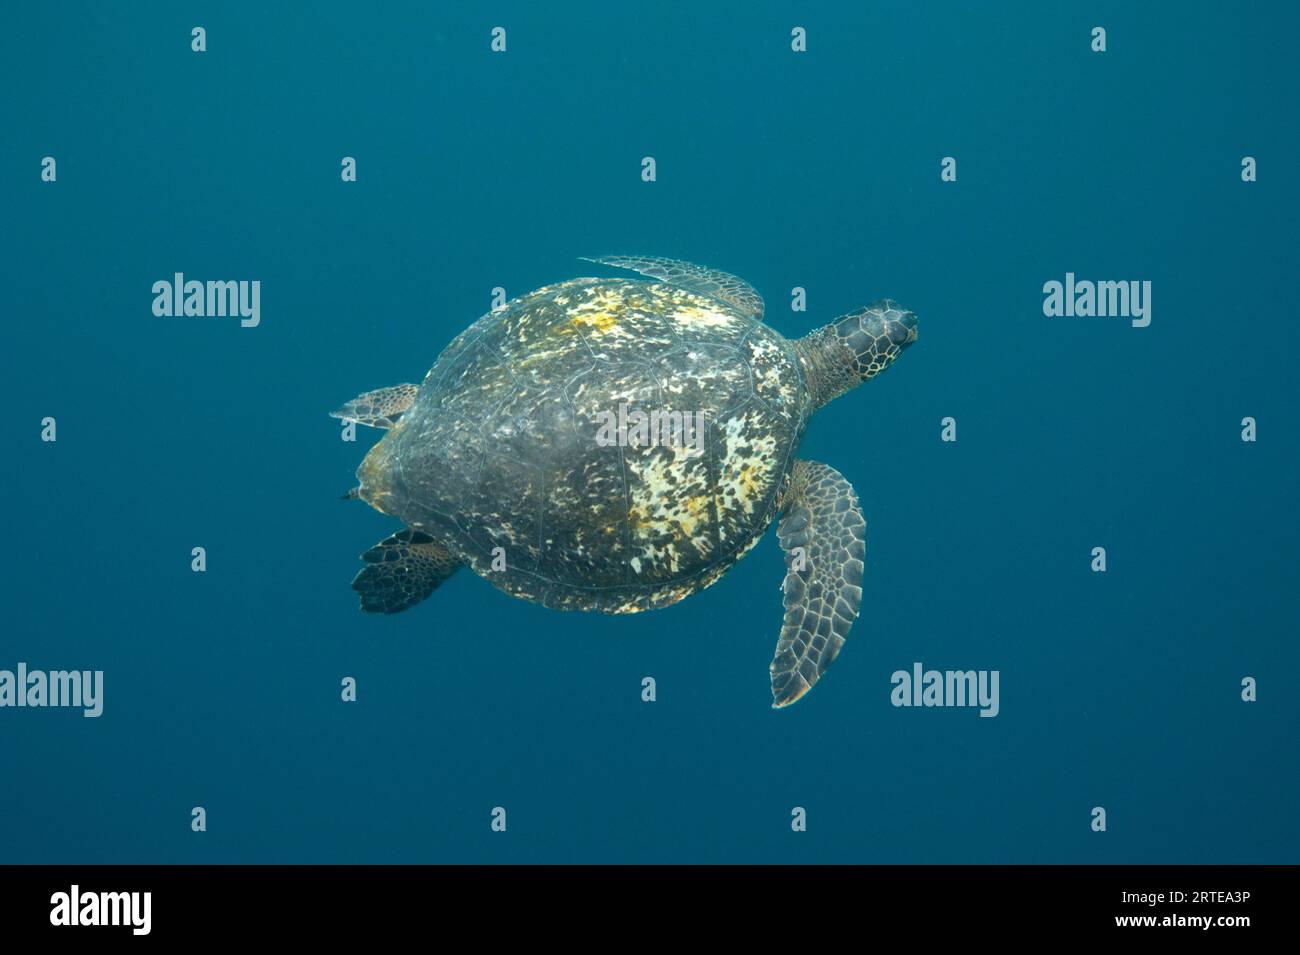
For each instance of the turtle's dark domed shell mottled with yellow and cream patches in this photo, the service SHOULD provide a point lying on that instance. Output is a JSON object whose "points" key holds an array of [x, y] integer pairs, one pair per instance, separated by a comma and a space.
{"points": [[500, 449]]}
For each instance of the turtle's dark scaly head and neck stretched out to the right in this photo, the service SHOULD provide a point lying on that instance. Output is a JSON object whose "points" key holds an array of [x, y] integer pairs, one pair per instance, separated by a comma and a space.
{"points": [[855, 348]]}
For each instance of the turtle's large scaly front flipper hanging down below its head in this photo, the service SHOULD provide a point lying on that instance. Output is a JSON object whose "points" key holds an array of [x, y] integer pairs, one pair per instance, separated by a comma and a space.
{"points": [[824, 536]]}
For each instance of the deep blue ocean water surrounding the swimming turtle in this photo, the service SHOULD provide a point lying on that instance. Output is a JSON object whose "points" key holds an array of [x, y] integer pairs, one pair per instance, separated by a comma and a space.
{"points": [[820, 170]]}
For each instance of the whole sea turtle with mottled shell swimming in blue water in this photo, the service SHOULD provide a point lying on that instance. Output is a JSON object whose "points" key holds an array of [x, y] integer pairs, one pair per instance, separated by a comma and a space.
{"points": [[530, 454]]}
